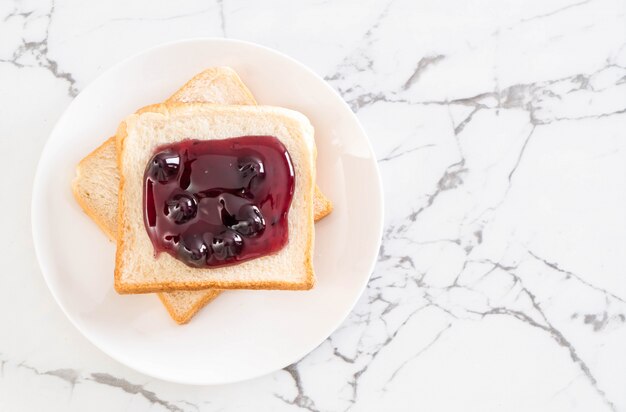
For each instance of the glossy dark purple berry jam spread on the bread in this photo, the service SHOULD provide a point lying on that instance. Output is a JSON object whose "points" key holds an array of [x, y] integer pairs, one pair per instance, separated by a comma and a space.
{"points": [[218, 202]]}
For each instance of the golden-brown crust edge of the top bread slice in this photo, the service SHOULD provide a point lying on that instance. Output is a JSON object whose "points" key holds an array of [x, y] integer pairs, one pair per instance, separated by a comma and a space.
{"points": [[308, 190]]}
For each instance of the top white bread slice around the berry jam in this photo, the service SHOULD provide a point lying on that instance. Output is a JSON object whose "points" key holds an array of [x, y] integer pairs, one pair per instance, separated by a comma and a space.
{"points": [[138, 270]]}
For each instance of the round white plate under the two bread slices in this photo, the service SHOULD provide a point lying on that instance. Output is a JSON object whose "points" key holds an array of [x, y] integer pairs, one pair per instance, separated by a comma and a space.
{"points": [[242, 334]]}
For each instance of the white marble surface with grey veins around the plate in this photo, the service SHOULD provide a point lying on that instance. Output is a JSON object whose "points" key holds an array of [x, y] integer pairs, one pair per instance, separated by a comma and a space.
{"points": [[500, 128]]}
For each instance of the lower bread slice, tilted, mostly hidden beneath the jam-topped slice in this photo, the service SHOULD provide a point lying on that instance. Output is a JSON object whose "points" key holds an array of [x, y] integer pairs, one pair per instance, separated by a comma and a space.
{"points": [[97, 179]]}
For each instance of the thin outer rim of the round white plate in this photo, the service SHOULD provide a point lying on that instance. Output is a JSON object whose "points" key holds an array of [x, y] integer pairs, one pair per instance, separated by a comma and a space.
{"points": [[37, 192]]}
